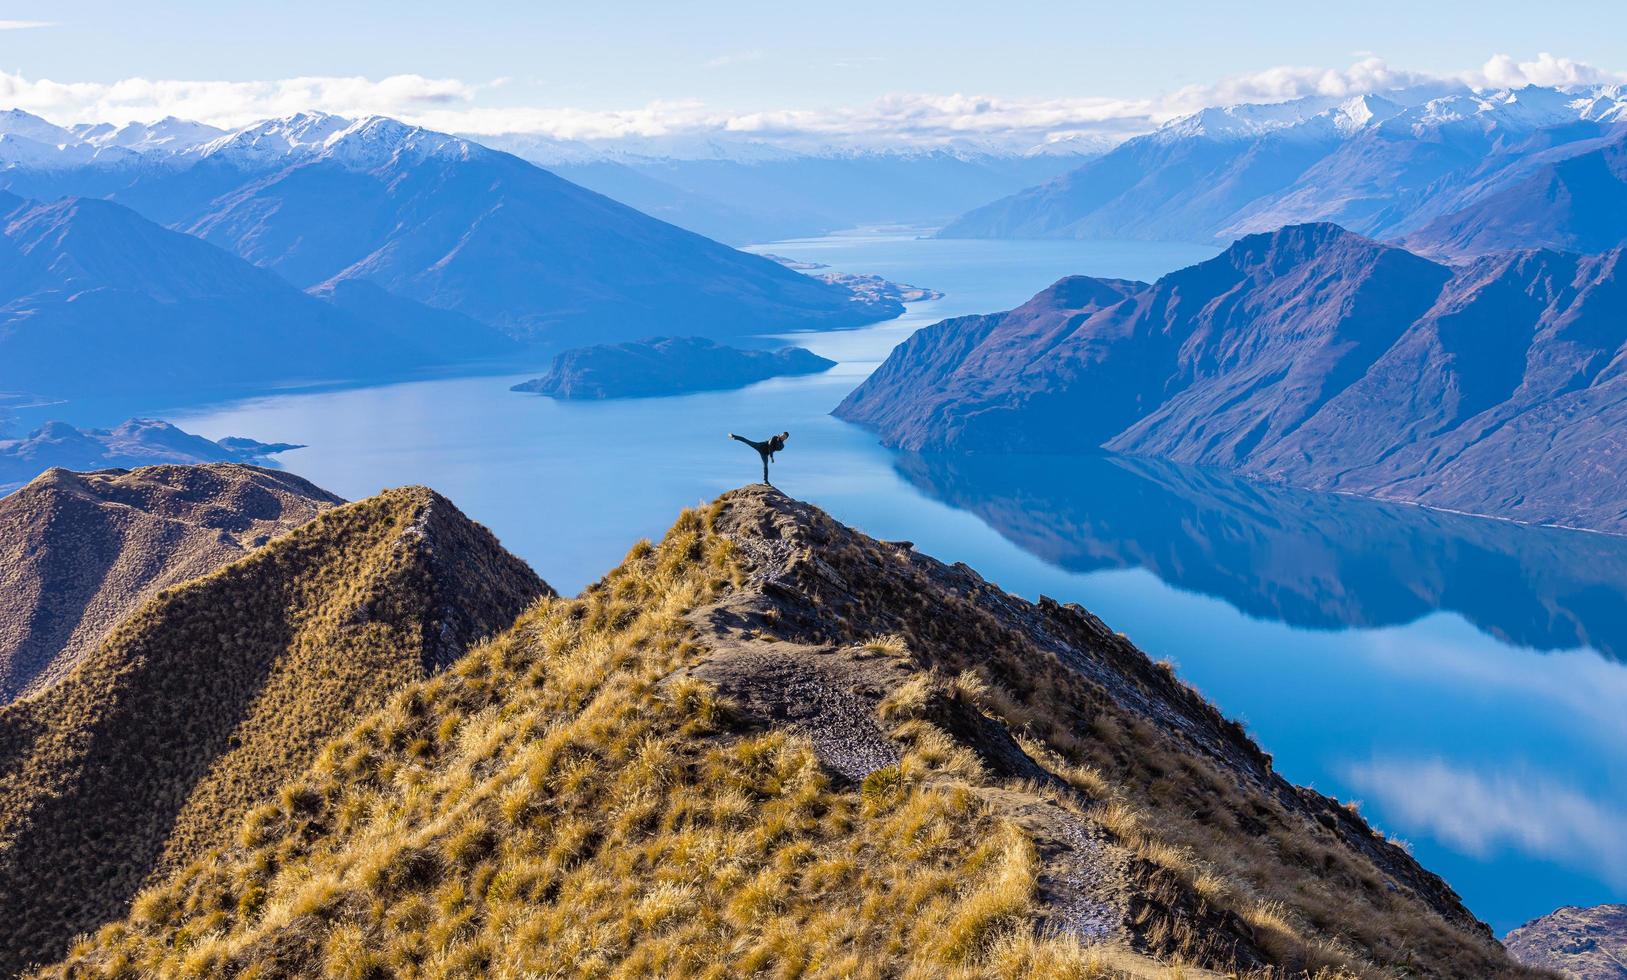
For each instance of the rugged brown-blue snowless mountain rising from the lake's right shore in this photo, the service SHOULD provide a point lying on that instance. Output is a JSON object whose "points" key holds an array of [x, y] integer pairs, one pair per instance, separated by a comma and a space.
{"points": [[1314, 357]]}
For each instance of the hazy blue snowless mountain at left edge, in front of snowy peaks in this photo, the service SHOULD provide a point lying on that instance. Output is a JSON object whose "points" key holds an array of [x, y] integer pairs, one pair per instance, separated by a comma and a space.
{"points": [[97, 302]]}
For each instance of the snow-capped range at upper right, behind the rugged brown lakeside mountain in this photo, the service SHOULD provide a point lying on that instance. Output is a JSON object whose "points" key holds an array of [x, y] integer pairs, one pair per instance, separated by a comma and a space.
{"points": [[1452, 173]]}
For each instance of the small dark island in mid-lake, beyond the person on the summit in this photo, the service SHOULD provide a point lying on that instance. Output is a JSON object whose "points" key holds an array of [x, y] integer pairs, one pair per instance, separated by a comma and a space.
{"points": [[666, 367]]}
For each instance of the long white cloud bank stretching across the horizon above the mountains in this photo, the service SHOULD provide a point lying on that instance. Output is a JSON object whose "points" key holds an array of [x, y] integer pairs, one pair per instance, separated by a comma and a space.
{"points": [[904, 120]]}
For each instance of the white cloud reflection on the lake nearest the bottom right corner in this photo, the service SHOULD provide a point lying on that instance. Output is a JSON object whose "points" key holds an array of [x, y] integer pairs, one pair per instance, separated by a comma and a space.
{"points": [[1481, 813]]}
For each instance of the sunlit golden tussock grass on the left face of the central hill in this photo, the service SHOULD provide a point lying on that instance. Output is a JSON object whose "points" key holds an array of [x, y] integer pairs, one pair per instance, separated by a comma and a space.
{"points": [[556, 807]]}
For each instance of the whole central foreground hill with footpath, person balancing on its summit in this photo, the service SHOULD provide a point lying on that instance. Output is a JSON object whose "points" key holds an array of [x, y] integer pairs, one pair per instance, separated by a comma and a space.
{"points": [[775, 746]]}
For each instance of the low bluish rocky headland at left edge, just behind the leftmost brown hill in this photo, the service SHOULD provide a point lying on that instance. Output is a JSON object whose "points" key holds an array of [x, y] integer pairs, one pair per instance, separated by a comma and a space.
{"points": [[139, 442]]}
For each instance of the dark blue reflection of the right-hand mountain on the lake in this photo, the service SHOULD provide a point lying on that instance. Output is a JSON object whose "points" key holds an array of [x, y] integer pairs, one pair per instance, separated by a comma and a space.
{"points": [[1307, 559]]}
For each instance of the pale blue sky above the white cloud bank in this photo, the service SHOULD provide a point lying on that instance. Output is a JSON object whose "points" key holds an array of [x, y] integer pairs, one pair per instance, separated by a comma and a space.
{"points": [[754, 58]]}
